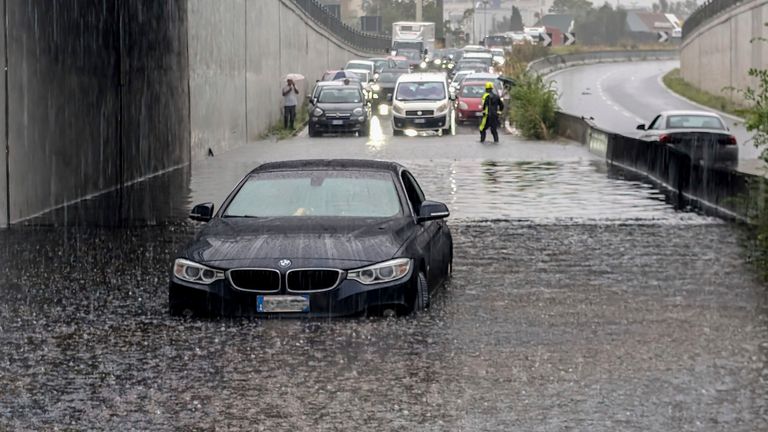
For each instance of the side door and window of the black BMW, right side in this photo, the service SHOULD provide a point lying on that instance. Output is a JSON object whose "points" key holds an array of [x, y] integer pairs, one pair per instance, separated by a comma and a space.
{"points": [[431, 240]]}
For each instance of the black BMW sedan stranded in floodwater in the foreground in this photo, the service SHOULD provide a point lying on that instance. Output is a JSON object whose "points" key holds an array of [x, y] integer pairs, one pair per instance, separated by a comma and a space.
{"points": [[315, 238]]}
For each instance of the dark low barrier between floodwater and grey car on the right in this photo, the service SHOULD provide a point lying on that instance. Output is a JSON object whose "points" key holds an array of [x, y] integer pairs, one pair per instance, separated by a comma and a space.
{"points": [[716, 190]]}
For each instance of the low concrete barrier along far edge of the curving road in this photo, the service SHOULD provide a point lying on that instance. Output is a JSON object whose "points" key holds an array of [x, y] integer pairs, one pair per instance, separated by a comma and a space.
{"points": [[553, 63]]}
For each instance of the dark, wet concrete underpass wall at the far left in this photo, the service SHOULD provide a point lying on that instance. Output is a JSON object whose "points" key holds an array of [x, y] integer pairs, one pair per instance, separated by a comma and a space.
{"points": [[97, 97]]}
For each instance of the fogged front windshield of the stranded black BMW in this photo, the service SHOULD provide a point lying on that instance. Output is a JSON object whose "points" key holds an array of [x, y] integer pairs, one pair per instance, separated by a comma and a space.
{"points": [[316, 193]]}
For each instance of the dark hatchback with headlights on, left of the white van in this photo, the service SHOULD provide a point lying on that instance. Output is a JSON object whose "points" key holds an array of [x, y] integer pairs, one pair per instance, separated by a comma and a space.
{"points": [[340, 109]]}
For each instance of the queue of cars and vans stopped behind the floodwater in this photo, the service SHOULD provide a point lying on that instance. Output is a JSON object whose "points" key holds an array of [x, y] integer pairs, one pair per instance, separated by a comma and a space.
{"points": [[422, 97]]}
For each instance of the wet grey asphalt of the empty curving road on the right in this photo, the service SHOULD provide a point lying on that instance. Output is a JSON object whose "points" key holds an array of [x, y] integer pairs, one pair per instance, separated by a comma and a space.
{"points": [[622, 95]]}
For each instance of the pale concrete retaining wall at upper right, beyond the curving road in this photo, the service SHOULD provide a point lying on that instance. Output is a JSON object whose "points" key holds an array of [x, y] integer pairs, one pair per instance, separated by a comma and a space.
{"points": [[719, 53]]}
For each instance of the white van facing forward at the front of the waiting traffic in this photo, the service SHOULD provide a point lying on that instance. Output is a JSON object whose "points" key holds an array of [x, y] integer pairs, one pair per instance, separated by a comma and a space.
{"points": [[421, 102]]}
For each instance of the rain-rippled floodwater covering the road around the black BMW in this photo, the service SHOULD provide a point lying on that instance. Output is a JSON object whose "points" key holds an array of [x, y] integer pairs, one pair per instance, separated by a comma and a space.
{"points": [[580, 301]]}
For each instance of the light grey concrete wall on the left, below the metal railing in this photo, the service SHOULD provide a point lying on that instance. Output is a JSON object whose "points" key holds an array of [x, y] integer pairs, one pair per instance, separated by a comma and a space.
{"points": [[240, 51]]}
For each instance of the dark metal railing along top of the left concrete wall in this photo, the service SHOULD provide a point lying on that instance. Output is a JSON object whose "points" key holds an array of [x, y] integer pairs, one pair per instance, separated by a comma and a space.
{"points": [[361, 40]]}
